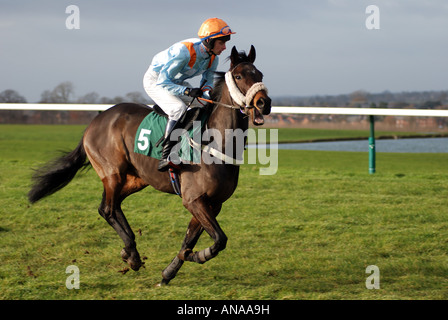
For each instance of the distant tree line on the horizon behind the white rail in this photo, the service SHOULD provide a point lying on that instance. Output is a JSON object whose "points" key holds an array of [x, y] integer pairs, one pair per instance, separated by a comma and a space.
{"points": [[64, 93]]}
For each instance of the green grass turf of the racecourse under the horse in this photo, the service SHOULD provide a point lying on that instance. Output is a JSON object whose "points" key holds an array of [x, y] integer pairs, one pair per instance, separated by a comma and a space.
{"points": [[307, 232]]}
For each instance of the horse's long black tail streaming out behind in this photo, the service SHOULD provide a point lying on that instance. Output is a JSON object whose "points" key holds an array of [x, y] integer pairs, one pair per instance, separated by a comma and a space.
{"points": [[57, 173]]}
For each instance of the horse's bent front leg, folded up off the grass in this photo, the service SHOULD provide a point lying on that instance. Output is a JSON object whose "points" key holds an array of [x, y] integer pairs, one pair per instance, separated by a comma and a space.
{"points": [[205, 213]]}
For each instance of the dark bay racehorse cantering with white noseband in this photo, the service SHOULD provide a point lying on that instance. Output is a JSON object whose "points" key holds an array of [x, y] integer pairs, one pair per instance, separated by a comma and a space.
{"points": [[108, 143]]}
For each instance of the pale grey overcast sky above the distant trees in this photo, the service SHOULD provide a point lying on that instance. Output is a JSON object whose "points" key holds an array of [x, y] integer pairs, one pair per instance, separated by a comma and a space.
{"points": [[303, 47]]}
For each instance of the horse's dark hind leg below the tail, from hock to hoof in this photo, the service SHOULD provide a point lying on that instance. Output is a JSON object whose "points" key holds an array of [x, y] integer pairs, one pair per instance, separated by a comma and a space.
{"points": [[110, 210]]}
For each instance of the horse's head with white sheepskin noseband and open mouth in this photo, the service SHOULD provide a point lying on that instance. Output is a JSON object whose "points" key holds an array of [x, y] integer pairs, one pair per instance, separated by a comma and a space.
{"points": [[252, 96]]}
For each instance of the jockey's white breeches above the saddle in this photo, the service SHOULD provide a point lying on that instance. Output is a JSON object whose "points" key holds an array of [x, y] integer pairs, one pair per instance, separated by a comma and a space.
{"points": [[173, 106]]}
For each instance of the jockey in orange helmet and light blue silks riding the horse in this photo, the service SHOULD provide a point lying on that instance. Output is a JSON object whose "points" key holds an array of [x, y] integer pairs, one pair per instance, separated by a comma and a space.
{"points": [[164, 81]]}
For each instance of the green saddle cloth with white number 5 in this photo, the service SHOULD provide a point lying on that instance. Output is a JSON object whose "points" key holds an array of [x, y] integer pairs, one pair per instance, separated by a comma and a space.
{"points": [[152, 129]]}
